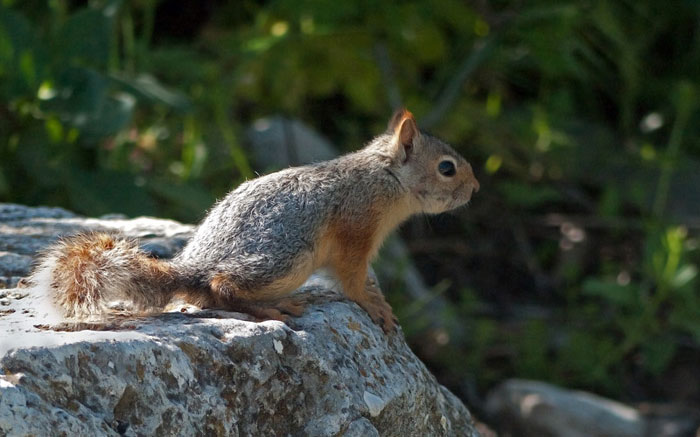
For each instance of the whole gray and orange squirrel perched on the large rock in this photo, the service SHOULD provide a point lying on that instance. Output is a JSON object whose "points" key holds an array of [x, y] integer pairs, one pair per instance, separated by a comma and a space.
{"points": [[264, 239]]}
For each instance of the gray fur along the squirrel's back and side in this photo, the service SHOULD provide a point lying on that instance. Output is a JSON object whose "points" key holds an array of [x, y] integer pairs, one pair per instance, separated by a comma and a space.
{"points": [[257, 231]]}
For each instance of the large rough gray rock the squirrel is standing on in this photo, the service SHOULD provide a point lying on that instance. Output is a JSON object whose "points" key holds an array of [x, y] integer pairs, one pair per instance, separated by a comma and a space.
{"points": [[330, 372]]}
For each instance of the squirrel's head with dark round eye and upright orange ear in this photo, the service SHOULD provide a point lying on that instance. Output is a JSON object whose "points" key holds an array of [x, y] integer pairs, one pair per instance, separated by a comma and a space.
{"points": [[437, 176]]}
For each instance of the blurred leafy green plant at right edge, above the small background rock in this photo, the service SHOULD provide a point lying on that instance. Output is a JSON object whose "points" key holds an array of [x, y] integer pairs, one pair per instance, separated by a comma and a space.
{"points": [[650, 312]]}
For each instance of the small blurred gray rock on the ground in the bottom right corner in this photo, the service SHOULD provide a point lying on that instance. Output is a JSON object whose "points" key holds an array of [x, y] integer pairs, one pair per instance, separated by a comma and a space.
{"points": [[531, 408]]}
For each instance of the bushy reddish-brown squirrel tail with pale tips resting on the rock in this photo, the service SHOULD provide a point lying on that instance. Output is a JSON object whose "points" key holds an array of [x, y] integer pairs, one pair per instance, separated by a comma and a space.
{"points": [[90, 275]]}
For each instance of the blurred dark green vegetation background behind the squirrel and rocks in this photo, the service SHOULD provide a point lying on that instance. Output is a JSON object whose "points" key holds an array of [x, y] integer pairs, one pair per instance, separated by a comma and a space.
{"points": [[575, 264]]}
